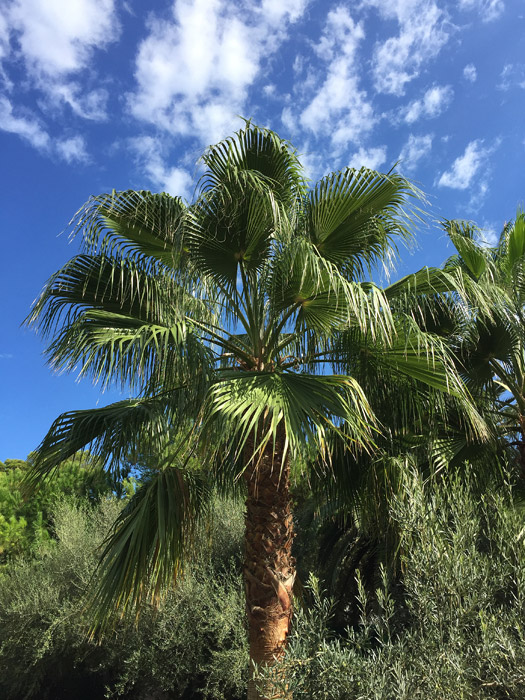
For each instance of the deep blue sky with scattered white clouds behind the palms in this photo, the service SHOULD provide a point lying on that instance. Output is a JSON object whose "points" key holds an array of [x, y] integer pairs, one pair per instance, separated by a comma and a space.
{"points": [[102, 94]]}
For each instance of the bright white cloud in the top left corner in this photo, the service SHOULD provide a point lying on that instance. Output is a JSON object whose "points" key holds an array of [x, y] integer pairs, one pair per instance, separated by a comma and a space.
{"points": [[57, 38]]}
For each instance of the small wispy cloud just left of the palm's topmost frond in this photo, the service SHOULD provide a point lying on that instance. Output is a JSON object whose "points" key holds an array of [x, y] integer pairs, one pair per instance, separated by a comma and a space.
{"points": [[148, 152]]}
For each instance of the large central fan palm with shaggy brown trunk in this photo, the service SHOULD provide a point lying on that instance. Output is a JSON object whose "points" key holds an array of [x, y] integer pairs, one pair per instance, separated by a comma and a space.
{"points": [[232, 320]]}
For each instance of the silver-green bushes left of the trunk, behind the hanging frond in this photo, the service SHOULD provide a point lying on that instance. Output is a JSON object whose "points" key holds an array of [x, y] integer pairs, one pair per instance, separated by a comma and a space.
{"points": [[192, 647]]}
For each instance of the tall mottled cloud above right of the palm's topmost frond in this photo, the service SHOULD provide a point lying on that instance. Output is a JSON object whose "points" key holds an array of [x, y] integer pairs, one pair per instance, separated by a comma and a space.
{"points": [[339, 108]]}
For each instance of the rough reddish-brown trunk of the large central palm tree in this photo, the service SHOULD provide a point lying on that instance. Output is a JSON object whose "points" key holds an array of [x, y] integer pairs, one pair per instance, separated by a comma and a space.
{"points": [[269, 568]]}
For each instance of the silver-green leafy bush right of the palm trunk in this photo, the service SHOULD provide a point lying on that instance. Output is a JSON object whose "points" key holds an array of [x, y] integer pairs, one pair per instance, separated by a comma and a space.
{"points": [[460, 633]]}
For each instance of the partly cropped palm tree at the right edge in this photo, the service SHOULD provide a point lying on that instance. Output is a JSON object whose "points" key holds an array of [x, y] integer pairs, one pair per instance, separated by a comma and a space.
{"points": [[491, 348]]}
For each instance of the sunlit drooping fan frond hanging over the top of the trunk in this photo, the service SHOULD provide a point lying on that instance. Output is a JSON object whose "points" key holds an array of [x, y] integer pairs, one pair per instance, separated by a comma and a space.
{"points": [[306, 407]]}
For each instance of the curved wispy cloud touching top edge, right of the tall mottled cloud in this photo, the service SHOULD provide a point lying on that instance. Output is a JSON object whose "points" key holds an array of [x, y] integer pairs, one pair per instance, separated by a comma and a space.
{"points": [[423, 31]]}
